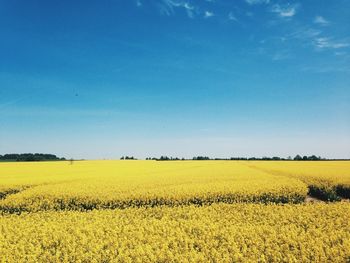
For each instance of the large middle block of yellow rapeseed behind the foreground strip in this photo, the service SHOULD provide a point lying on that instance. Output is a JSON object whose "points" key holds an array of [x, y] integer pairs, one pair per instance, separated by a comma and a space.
{"points": [[120, 184]]}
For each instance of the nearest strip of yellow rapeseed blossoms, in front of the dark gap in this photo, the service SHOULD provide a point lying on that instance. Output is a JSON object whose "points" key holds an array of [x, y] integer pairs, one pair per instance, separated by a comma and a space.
{"points": [[216, 233]]}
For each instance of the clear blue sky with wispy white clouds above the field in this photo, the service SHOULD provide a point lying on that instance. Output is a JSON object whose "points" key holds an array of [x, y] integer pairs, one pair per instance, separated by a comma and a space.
{"points": [[102, 79]]}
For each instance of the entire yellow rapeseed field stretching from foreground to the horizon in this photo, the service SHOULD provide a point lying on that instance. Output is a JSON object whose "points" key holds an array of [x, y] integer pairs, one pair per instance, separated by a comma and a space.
{"points": [[176, 211]]}
